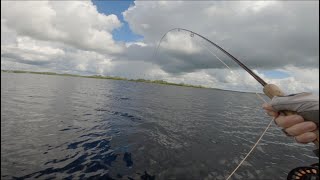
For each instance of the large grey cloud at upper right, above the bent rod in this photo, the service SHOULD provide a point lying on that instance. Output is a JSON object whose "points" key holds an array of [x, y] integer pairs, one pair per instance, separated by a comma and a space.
{"points": [[262, 34]]}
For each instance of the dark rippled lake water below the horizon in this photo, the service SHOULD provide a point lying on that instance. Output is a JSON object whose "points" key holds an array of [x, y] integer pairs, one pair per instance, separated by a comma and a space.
{"points": [[56, 127]]}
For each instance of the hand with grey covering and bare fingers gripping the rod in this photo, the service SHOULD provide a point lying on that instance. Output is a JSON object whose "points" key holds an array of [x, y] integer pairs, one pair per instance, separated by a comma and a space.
{"points": [[306, 105]]}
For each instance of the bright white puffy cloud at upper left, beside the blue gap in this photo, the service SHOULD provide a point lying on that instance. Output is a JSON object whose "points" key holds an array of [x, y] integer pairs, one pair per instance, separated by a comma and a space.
{"points": [[75, 23]]}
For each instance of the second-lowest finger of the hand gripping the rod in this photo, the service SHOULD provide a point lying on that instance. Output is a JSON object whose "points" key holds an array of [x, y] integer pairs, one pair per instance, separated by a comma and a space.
{"points": [[301, 128]]}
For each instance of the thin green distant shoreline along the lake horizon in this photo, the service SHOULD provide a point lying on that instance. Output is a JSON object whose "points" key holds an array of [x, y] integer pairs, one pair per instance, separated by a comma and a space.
{"points": [[120, 79]]}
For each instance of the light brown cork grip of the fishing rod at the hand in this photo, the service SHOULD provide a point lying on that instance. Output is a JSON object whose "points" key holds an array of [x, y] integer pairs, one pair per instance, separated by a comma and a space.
{"points": [[272, 90]]}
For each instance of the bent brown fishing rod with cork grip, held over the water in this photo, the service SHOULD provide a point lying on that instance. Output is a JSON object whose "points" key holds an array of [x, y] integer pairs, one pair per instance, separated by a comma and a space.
{"points": [[271, 90]]}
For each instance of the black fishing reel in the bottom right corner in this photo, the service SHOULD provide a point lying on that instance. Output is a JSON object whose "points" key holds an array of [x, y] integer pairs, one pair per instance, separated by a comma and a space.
{"points": [[305, 173]]}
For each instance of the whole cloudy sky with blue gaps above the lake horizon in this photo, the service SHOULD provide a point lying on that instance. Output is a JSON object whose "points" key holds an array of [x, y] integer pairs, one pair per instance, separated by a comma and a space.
{"points": [[279, 40]]}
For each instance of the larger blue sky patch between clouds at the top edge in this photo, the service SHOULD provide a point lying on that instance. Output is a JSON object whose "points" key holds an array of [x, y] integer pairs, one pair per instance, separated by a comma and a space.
{"points": [[123, 33]]}
